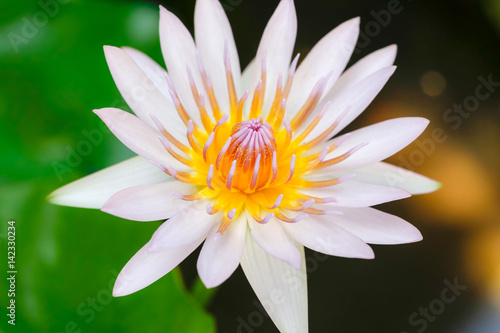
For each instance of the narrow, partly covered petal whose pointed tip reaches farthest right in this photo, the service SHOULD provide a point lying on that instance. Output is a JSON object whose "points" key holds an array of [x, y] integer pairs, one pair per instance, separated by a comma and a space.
{"points": [[386, 174]]}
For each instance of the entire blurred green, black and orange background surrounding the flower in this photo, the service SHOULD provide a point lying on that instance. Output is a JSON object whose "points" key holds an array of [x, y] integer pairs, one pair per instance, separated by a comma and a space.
{"points": [[52, 80]]}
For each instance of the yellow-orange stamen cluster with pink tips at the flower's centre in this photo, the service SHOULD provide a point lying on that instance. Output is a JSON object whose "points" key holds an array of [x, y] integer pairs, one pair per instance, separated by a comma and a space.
{"points": [[255, 164]]}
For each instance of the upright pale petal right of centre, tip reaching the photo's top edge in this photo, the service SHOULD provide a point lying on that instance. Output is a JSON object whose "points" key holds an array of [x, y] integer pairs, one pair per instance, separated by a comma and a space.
{"points": [[277, 44]]}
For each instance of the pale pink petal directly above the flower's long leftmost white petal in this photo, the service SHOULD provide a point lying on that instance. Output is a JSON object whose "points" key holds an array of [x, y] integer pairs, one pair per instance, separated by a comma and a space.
{"points": [[138, 137]]}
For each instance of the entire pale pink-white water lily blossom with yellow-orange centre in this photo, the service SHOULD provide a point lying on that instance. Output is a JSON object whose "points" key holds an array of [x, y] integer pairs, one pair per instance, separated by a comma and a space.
{"points": [[251, 164]]}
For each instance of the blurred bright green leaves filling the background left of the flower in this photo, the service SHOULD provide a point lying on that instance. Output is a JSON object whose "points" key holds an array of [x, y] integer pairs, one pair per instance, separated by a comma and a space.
{"points": [[53, 74]]}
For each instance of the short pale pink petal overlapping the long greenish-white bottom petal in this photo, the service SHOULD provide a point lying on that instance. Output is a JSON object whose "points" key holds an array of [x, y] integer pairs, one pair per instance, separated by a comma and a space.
{"points": [[272, 239]]}
